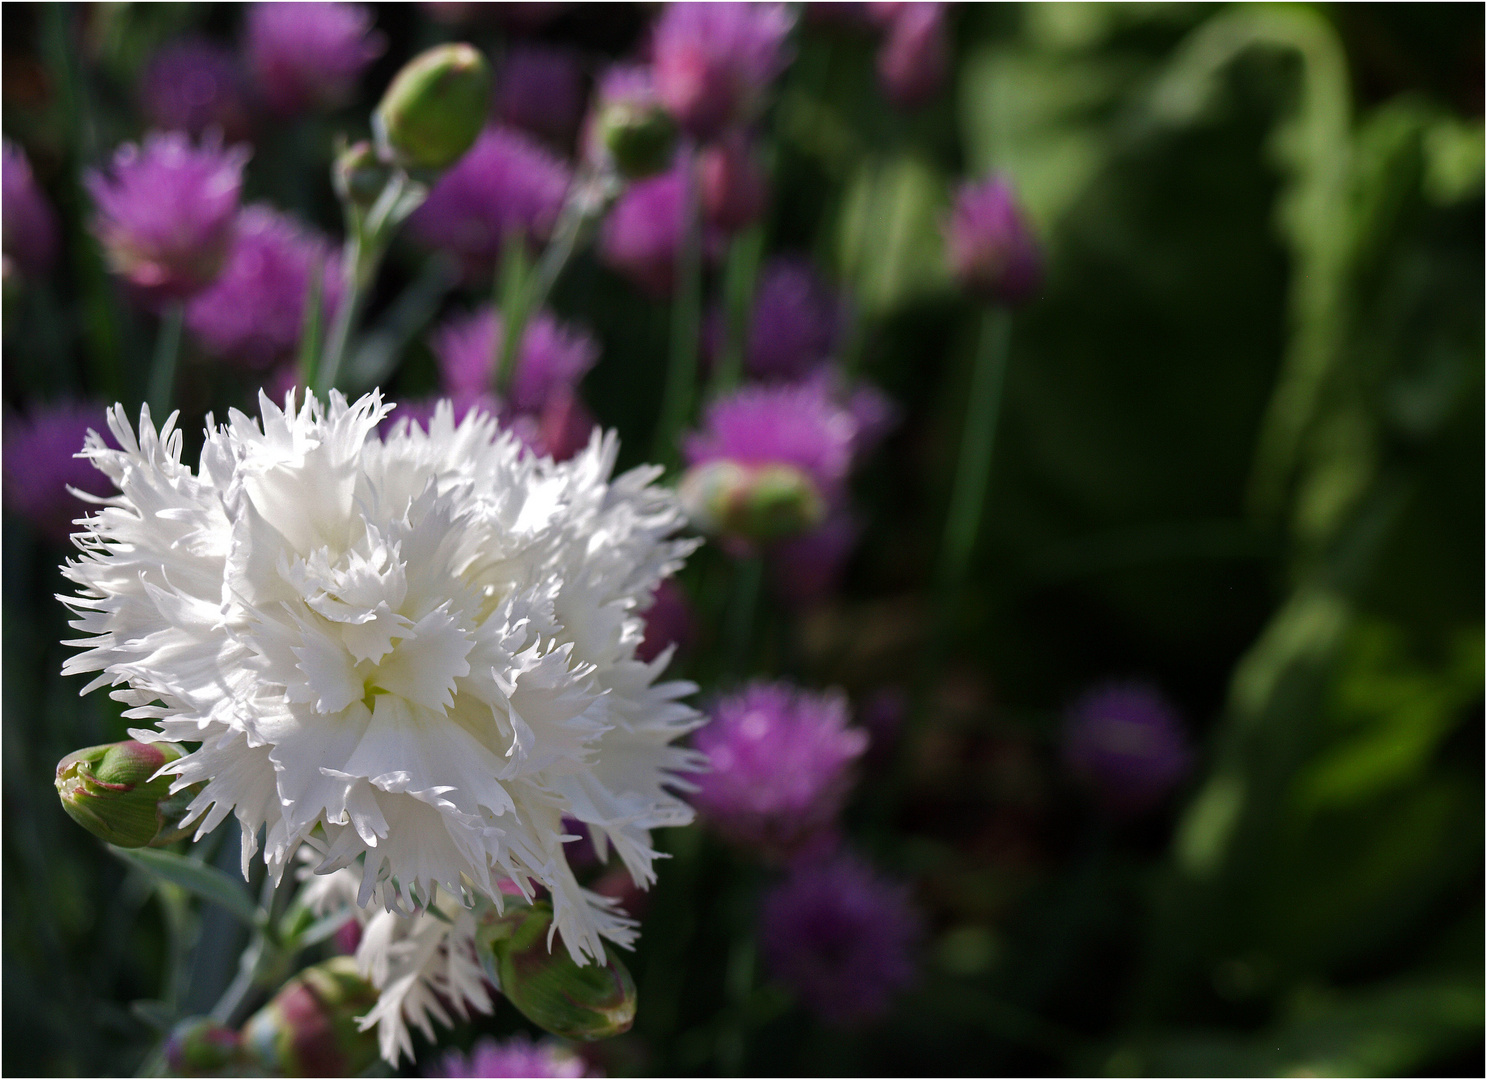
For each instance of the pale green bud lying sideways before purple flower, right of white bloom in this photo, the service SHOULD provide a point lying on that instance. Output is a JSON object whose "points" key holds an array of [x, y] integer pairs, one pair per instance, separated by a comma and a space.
{"points": [[756, 504]]}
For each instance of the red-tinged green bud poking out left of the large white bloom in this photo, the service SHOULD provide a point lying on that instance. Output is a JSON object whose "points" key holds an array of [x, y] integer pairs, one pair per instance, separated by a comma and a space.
{"points": [[109, 792]]}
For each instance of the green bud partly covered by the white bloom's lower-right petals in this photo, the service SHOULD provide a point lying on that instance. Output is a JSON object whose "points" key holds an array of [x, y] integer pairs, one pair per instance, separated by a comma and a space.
{"points": [[582, 1003]]}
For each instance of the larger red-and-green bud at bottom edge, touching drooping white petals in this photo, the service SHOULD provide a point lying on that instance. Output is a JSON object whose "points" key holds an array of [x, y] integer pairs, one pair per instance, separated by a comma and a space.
{"points": [[310, 1029]]}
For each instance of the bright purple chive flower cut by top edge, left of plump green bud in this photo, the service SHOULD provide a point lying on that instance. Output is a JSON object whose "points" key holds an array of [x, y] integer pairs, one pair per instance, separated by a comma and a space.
{"points": [[310, 56]]}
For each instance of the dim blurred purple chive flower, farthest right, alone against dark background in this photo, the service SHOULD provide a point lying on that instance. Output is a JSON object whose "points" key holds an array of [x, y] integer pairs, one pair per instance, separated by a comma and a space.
{"points": [[1126, 742]]}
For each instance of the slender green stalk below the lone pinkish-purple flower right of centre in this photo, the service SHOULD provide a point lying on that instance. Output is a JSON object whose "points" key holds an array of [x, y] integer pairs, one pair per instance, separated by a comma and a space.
{"points": [[975, 465]]}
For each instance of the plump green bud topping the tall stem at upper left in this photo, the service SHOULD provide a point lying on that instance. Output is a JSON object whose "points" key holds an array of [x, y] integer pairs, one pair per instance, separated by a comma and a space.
{"points": [[435, 108]]}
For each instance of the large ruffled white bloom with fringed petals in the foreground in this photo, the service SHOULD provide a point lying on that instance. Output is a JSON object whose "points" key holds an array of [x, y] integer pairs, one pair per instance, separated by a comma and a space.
{"points": [[422, 649]]}
